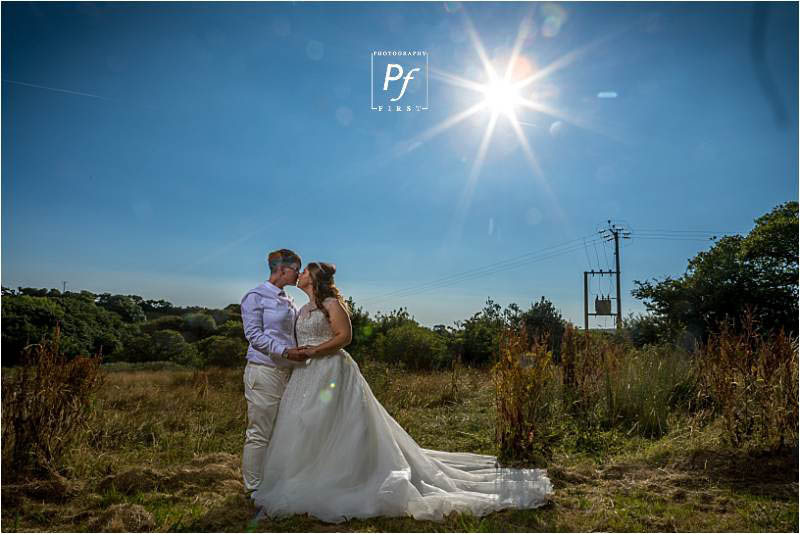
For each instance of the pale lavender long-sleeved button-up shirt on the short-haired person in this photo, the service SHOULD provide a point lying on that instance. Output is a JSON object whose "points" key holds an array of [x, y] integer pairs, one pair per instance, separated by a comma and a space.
{"points": [[268, 316]]}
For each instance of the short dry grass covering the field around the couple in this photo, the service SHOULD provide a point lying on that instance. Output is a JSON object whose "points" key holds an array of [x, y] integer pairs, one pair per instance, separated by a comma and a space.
{"points": [[162, 452]]}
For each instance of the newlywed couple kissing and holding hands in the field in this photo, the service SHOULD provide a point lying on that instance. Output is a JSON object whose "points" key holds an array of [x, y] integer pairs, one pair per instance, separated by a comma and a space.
{"points": [[318, 442]]}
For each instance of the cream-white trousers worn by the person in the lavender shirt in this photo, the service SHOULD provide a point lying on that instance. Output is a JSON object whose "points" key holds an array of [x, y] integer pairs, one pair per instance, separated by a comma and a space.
{"points": [[263, 388]]}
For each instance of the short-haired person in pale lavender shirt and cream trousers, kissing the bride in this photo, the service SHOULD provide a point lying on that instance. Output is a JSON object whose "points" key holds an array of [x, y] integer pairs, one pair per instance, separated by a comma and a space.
{"points": [[268, 317]]}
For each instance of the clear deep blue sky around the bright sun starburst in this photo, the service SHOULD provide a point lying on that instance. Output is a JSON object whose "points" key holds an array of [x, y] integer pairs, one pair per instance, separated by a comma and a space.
{"points": [[163, 149]]}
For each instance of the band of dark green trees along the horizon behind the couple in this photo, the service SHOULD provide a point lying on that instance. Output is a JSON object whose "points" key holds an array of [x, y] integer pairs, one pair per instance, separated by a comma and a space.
{"points": [[758, 272]]}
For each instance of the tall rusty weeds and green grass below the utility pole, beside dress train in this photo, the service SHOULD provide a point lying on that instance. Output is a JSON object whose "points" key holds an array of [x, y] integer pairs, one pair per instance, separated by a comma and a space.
{"points": [[600, 386]]}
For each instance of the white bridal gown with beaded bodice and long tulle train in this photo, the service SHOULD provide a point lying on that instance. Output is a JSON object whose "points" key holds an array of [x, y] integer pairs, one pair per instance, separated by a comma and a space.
{"points": [[336, 454]]}
